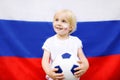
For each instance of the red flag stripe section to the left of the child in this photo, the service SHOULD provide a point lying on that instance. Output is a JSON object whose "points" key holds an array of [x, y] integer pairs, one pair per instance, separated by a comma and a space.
{"points": [[14, 68]]}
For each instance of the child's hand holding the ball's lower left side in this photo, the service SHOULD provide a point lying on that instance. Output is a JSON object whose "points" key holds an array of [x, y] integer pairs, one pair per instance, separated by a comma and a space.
{"points": [[55, 76]]}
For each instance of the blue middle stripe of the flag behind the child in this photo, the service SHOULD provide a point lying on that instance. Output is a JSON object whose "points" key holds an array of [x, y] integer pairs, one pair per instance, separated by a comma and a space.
{"points": [[25, 38]]}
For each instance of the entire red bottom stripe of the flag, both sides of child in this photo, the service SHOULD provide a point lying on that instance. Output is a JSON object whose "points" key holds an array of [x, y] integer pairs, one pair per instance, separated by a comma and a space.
{"points": [[101, 68]]}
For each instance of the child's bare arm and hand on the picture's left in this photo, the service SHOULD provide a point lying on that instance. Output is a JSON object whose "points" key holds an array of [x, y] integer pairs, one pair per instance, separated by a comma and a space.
{"points": [[46, 67]]}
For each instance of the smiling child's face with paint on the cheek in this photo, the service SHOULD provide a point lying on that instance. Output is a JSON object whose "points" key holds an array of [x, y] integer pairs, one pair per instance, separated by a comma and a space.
{"points": [[61, 25]]}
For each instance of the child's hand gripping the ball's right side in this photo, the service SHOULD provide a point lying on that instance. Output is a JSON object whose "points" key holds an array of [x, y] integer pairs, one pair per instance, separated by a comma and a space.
{"points": [[80, 70]]}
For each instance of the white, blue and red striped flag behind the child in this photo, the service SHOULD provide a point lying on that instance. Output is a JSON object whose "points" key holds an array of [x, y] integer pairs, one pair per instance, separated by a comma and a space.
{"points": [[26, 24]]}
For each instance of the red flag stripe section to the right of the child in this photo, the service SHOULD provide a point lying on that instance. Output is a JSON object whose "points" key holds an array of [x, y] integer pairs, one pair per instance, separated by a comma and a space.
{"points": [[103, 68]]}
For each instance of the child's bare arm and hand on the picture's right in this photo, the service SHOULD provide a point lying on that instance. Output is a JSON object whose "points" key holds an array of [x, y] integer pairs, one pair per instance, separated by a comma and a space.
{"points": [[84, 65]]}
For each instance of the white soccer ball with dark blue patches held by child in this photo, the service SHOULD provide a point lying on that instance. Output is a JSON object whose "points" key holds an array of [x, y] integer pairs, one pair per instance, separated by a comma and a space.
{"points": [[66, 63]]}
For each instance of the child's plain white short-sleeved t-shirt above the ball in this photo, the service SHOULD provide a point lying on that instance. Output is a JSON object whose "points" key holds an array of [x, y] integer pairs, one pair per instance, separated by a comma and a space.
{"points": [[57, 46]]}
